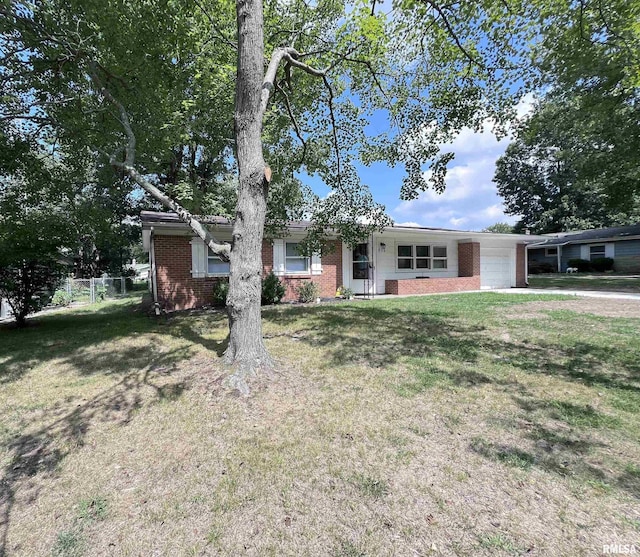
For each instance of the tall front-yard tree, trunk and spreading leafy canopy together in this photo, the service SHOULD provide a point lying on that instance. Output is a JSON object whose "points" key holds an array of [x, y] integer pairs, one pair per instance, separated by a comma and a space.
{"points": [[151, 86]]}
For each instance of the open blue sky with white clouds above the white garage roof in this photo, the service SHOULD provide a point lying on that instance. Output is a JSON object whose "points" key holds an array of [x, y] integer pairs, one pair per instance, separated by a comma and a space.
{"points": [[470, 201]]}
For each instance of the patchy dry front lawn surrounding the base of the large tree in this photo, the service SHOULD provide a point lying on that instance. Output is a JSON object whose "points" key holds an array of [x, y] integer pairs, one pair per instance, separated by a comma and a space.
{"points": [[470, 424]]}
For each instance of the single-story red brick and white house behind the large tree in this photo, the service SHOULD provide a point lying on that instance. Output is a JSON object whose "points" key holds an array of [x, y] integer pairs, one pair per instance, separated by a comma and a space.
{"points": [[399, 260]]}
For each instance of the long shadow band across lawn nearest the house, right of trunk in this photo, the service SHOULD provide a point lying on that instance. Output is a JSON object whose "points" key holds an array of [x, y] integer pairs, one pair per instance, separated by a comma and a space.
{"points": [[381, 337]]}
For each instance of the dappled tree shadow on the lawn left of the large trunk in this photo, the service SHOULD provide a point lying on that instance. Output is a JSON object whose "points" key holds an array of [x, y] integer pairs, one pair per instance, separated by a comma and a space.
{"points": [[74, 339]]}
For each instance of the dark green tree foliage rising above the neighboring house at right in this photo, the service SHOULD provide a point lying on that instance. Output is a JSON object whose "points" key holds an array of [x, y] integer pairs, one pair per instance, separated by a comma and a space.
{"points": [[575, 162]]}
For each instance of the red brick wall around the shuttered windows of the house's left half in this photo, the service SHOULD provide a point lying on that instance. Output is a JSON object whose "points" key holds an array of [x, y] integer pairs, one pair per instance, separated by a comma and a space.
{"points": [[177, 289]]}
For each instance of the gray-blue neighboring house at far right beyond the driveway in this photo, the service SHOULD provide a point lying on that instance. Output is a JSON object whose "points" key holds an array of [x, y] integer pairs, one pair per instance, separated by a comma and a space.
{"points": [[622, 244]]}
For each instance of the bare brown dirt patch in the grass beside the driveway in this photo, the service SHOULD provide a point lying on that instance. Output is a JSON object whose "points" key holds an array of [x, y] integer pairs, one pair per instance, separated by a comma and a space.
{"points": [[606, 307]]}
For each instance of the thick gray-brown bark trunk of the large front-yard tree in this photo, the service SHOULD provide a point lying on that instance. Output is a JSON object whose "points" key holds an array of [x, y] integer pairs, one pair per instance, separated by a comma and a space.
{"points": [[246, 349]]}
